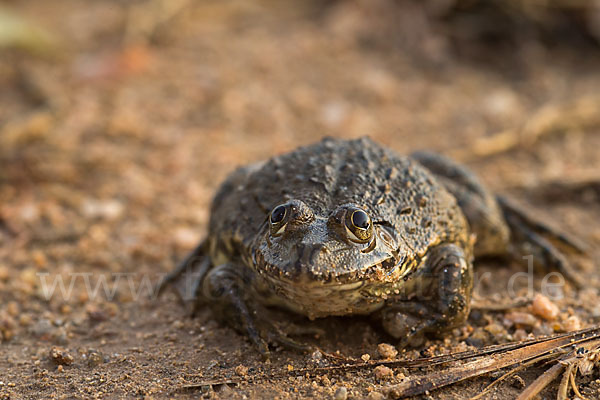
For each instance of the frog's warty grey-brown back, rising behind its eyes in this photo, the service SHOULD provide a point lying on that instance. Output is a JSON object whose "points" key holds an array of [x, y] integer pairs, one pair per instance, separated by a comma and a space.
{"points": [[395, 191]]}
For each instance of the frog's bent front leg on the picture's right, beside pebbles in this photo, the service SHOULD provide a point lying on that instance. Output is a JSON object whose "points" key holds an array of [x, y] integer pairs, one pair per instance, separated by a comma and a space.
{"points": [[435, 299]]}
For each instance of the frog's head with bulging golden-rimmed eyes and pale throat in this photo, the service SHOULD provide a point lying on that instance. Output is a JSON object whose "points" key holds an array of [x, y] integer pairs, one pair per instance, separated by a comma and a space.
{"points": [[319, 262]]}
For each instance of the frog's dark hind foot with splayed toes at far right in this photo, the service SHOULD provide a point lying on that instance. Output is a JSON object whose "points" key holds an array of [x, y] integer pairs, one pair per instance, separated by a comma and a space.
{"points": [[530, 236]]}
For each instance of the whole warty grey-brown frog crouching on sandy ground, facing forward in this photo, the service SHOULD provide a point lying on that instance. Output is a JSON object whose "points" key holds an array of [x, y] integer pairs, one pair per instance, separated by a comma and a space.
{"points": [[350, 227]]}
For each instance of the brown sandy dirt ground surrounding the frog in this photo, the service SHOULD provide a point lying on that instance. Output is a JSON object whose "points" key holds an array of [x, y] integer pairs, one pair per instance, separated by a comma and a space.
{"points": [[116, 133]]}
